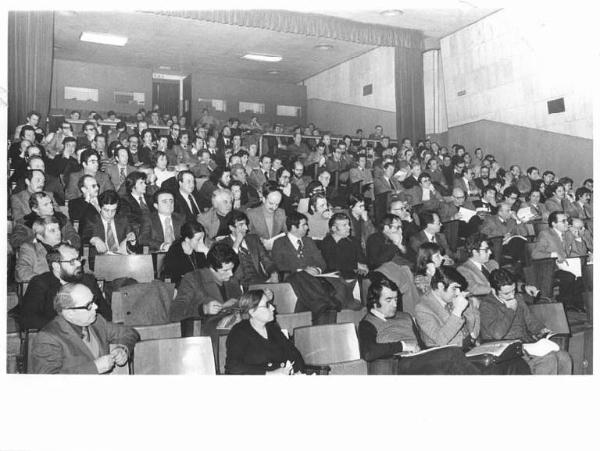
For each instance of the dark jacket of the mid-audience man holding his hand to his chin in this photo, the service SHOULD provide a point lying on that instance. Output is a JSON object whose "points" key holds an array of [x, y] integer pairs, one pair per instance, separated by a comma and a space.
{"points": [[256, 264]]}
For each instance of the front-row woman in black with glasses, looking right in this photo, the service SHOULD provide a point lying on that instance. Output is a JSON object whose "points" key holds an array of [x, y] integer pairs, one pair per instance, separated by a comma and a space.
{"points": [[256, 345]]}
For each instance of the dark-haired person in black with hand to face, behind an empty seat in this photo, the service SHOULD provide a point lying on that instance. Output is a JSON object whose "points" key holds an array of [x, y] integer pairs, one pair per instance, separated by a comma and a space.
{"points": [[187, 253]]}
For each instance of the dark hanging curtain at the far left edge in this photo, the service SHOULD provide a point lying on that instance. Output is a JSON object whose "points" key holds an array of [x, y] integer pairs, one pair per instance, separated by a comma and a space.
{"points": [[30, 51]]}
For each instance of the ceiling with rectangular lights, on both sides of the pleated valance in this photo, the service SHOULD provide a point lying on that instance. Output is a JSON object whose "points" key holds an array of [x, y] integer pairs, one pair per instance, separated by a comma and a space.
{"points": [[186, 46]]}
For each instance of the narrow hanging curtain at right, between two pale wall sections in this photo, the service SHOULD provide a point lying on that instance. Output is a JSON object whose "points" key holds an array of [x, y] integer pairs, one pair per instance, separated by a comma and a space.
{"points": [[410, 100]]}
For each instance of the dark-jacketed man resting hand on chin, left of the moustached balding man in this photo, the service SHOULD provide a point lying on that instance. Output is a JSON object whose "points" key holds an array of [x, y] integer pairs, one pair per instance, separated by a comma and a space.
{"points": [[256, 265]]}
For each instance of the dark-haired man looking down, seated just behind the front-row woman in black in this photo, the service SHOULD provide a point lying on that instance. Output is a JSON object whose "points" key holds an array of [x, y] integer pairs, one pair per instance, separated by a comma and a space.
{"points": [[204, 292]]}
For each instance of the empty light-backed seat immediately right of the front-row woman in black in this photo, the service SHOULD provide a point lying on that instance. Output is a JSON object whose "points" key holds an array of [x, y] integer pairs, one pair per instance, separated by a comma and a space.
{"points": [[331, 345]]}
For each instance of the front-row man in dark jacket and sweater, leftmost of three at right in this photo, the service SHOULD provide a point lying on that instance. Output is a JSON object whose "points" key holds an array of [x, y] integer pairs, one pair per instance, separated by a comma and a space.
{"points": [[384, 332]]}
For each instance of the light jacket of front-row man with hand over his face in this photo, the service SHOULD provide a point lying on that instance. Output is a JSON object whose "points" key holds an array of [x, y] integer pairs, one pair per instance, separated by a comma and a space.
{"points": [[440, 327]]}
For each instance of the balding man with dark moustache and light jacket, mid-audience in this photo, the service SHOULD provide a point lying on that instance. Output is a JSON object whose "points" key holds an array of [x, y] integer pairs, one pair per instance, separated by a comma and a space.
{"points": [[268, 220]]}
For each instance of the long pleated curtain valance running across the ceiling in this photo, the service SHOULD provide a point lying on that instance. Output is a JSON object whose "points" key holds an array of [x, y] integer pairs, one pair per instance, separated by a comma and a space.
{"points": [[309, 25]]}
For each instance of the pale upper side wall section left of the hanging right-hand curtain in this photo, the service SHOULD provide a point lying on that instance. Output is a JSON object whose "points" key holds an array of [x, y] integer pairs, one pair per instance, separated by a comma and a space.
{"points": [[344, 82]]}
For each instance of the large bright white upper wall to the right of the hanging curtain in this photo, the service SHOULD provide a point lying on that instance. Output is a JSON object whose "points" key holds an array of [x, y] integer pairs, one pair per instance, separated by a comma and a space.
{"points": [[511, 63]]}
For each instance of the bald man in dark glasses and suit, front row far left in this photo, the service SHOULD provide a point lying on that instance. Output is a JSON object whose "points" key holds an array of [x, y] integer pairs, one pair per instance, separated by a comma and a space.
{"points": [[77, 341]]}
